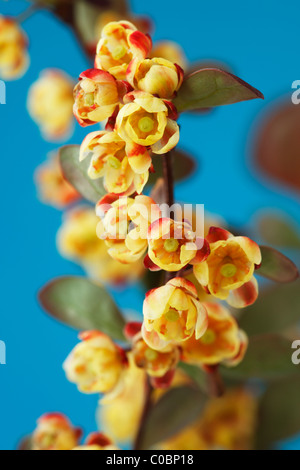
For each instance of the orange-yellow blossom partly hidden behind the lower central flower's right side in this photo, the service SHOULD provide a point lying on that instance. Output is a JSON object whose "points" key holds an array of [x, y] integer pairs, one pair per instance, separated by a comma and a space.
{"points": [[223, 341]]}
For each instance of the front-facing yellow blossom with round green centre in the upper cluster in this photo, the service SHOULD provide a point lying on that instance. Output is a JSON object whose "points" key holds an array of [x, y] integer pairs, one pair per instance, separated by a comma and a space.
{"points": [[144, 120]]}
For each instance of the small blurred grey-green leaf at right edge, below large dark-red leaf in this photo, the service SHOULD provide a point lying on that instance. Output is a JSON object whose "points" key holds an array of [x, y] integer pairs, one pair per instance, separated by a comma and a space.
{"points": [[279, 231]]}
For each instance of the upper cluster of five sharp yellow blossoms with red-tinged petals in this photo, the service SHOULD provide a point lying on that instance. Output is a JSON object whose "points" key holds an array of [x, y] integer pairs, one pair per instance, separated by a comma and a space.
{"points": [[133, 93]]}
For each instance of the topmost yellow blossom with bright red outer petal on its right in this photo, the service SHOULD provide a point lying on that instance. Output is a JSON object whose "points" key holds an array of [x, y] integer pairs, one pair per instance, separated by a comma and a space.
{"points": [[119, 44]]}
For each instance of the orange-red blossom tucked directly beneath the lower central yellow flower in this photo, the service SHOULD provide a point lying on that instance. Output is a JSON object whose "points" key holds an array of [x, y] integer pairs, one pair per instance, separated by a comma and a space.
{"points": [[155, 363]]}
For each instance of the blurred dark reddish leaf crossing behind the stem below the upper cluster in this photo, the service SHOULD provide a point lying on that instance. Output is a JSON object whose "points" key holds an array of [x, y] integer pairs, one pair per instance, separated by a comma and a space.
{"points": [[184, 165]]}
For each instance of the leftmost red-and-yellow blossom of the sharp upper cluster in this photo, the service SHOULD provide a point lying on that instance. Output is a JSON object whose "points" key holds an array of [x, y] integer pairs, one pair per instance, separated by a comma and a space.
{"points": [[97, 95]]}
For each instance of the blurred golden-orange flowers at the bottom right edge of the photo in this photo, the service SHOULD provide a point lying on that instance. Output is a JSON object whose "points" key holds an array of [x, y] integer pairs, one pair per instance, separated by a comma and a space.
{"points": [[227, 423]]}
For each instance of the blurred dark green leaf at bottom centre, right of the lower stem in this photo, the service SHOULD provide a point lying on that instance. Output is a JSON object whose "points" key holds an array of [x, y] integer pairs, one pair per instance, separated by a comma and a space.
{"points": [[177, 409]]}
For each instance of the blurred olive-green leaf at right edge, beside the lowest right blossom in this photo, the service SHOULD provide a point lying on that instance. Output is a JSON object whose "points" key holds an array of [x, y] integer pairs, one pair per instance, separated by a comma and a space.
{"points": [[268, 358]]}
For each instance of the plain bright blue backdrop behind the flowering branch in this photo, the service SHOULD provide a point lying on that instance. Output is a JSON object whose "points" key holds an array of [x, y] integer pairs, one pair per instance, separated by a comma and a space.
{"points": [[259, 41]]}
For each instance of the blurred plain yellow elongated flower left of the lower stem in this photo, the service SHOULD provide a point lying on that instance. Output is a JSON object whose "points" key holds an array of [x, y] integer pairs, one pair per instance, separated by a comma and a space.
{"points": [[120, 417]]}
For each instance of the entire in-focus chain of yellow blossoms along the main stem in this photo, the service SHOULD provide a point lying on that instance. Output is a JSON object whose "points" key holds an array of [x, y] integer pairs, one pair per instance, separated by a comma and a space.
{"points": [[182, 320]]}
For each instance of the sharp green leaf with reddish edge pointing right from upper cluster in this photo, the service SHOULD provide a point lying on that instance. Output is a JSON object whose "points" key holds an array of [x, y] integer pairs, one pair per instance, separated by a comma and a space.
{"points": [[211, 87]]}
